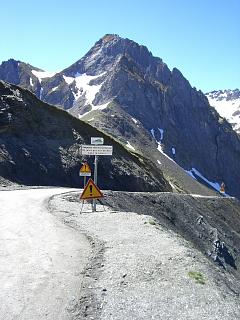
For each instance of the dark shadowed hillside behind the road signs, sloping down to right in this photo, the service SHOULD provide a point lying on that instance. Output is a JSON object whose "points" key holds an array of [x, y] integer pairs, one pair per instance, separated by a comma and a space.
{"points": [[39, 145]]}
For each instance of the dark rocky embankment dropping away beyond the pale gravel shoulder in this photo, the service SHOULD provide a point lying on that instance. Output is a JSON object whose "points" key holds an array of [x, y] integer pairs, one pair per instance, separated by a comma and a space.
{"points": [[212, 224]]}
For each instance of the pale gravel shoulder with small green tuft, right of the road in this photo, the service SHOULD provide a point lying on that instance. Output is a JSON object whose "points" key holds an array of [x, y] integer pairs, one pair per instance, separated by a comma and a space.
{"points": [[141, 270]]}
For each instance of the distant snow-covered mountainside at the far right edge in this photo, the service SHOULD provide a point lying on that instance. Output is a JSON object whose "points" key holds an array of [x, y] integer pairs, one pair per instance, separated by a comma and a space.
{"points": [[227, 104]]}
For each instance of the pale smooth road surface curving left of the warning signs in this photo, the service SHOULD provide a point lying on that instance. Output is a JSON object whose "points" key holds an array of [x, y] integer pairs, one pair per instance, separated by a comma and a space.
{"points": [[41, 259]]}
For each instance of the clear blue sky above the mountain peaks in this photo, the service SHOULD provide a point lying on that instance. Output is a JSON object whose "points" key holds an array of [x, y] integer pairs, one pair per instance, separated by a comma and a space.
{"points": [[201, 38]]}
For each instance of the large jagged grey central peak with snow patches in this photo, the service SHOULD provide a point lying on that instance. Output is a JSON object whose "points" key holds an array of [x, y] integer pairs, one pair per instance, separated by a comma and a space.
{"points": [[119, 75]]}
